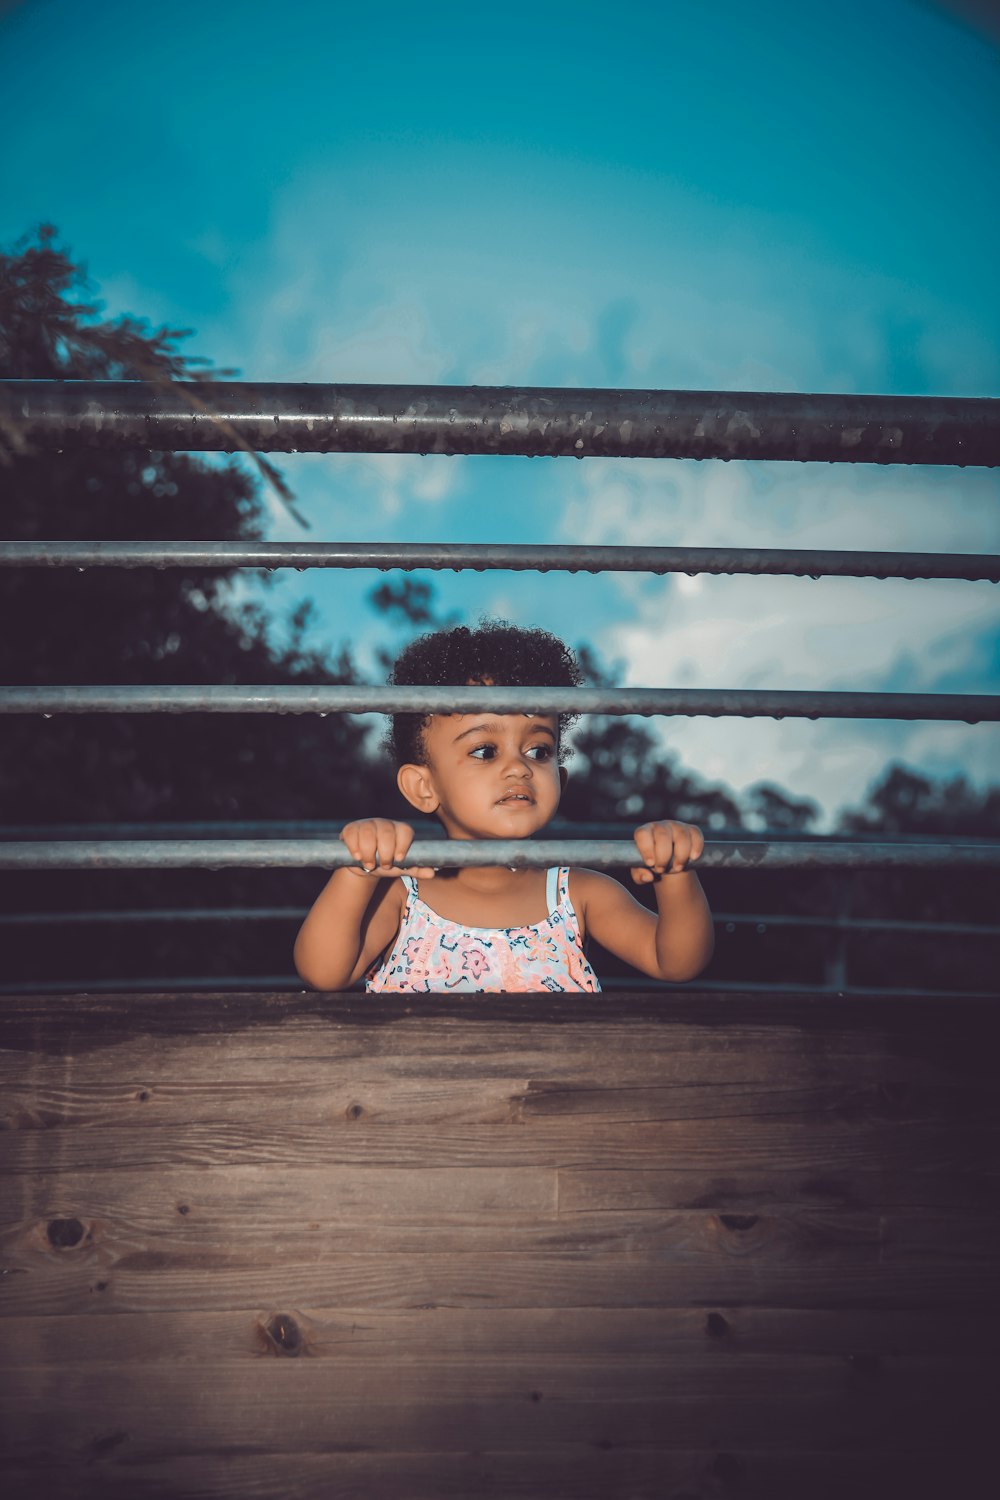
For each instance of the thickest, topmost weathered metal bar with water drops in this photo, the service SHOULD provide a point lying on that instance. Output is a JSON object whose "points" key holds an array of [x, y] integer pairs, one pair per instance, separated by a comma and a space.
{"points": [[269, 418]]}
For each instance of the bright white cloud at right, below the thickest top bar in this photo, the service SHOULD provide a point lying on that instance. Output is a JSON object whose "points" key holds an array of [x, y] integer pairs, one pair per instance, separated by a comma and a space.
{"points": [[801, 634]]}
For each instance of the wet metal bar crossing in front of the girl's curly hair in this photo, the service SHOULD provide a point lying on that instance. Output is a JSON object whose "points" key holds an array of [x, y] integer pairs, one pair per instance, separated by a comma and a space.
{"points": [[361, 700]]}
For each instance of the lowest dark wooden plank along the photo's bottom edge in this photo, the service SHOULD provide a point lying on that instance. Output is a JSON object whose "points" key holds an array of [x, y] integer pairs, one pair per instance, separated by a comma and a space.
{"points": [[572, 1472]]}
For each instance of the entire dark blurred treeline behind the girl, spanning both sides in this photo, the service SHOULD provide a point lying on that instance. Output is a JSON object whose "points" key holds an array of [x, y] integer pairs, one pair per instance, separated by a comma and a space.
{"points": [[179, 626]]}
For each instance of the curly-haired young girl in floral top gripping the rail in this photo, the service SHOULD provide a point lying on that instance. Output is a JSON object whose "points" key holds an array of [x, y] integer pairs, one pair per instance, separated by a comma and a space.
{"points": [[494, 776]]}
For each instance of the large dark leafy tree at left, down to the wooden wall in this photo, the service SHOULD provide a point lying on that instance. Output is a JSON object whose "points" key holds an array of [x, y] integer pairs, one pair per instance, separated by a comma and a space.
{"points": [[146, 628]]}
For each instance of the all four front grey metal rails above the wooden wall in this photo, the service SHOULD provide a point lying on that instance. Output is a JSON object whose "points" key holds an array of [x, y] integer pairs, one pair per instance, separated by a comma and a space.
{"points": [[528, 421]]}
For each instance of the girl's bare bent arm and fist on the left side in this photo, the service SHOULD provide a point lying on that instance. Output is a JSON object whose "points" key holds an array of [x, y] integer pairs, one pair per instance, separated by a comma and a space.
{"points": [[356, 916]]}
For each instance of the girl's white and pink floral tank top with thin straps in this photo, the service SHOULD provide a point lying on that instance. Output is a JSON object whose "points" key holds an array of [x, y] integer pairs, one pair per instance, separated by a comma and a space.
{"points": [[436, 955]]}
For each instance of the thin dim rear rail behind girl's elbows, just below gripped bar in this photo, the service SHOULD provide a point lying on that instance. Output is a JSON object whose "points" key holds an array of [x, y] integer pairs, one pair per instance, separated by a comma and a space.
{"points": [[296, 914]]}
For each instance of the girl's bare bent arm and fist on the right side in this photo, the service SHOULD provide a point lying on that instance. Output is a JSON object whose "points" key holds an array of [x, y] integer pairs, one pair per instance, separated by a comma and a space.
{"points": [[677, 943]]}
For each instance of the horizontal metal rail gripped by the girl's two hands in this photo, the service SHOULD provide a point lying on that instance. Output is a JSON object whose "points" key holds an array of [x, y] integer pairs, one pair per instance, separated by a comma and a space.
{"points": [[603, 854]]}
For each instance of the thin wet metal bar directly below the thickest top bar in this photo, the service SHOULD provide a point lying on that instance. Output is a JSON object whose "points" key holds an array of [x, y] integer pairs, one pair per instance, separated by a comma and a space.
{"points": [[515, 559]]}
